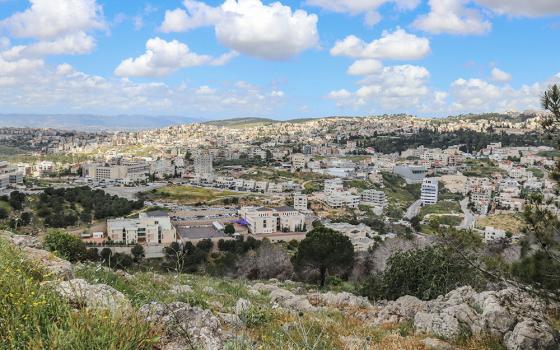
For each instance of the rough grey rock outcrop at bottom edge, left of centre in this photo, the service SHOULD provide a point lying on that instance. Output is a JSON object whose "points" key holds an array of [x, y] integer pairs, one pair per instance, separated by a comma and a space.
{"points": [[186, 327]]}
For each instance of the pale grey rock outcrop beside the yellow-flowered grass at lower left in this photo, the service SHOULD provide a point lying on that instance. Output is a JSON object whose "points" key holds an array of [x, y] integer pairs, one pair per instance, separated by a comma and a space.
{"points": [[80, 293]]}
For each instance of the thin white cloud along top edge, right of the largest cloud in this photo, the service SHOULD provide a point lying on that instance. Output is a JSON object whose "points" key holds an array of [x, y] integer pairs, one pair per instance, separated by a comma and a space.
{"points": [[367, 7]]}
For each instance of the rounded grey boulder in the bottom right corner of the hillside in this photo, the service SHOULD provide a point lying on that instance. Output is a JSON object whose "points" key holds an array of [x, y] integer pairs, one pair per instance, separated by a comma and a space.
{"points": [[532, 335]]}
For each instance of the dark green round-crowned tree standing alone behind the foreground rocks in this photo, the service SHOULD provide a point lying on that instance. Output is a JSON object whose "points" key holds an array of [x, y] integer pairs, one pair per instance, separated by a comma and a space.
{"points": [[324, 250]]}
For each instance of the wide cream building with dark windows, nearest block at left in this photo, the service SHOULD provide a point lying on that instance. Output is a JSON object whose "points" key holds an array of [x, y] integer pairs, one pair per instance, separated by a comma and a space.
{"points": [[149, 228]]}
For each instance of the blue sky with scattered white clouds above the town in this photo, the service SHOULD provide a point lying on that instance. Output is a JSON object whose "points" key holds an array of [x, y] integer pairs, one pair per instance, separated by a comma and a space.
{"points": [[278, 59]]}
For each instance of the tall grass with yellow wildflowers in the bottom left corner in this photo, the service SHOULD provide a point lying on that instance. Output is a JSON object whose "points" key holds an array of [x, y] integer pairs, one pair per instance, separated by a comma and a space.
{"points": [[32, 316]]}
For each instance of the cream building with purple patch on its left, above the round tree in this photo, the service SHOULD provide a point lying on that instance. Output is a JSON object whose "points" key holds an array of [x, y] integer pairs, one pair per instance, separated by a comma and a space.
{"points": [[269, 220]]}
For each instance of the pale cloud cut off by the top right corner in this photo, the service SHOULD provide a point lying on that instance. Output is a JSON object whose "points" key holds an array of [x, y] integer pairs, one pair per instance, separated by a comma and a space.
{"points": [[523, 8]]}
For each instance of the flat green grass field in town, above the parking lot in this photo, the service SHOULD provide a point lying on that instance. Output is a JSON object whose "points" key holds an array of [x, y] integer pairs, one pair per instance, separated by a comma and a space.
{"points": [[190, 194]]}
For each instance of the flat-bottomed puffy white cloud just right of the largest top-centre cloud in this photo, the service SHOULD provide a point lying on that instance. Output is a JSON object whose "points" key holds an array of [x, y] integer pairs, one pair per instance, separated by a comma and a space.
{"points": [[397, 45]]}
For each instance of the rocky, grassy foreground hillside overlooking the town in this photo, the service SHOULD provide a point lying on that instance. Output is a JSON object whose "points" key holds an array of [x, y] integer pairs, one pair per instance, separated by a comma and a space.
{"points": [[49, 303]]}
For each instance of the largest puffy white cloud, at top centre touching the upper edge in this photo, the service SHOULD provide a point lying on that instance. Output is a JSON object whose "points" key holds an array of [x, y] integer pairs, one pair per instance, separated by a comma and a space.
{"points": [[250, 27]]}
